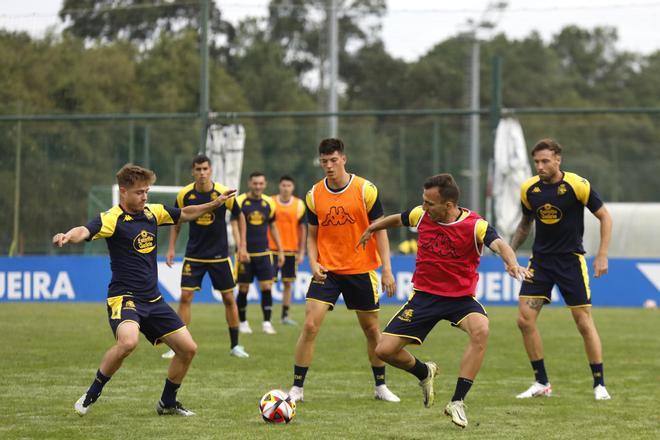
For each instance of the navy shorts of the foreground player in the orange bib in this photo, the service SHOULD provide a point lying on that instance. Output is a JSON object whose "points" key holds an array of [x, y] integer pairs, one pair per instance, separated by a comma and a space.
{"points": [[360, 291]]}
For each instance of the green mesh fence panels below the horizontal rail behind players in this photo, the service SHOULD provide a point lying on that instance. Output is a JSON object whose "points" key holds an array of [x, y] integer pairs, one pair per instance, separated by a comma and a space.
{"points": [[68, 167]]}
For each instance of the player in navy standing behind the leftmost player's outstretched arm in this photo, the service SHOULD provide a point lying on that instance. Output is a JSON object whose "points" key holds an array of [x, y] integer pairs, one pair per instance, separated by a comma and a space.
{"points": [[207, 249]]}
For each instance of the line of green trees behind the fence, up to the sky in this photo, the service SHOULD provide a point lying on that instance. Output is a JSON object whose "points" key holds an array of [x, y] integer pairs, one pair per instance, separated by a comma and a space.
{"points": [[131, 56]]}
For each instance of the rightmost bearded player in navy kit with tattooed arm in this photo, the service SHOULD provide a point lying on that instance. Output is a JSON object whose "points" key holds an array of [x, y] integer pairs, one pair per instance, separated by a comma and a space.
{"points": [[554, 201]]}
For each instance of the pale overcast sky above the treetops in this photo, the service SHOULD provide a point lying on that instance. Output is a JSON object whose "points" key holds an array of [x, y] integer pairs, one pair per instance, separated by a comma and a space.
{"points": [[412, 27]]}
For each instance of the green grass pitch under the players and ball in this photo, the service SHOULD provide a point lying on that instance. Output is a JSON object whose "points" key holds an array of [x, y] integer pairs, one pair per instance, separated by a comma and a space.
{"points": [[50, 352]]}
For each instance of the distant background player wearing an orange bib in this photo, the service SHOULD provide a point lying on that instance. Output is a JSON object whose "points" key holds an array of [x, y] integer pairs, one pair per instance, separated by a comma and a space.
{"points": [[291, 220]]}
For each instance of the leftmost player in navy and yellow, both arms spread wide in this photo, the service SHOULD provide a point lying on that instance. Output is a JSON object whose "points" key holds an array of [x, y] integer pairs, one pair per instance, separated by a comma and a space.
{"points": [[134, 302]]}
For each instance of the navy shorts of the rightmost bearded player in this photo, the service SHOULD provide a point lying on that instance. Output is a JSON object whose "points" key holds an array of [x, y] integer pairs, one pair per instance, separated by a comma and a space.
{"points": [[568, 271]]}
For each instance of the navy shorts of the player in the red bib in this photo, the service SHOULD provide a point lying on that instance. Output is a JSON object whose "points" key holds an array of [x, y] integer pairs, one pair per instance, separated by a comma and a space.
{"points": [[421, 313]]}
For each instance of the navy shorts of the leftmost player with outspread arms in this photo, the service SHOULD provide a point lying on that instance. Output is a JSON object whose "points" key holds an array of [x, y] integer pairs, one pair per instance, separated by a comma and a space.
{"points": [[155, 318]]}
